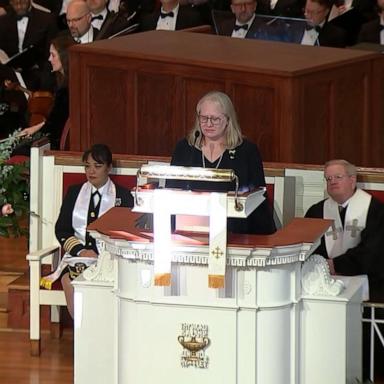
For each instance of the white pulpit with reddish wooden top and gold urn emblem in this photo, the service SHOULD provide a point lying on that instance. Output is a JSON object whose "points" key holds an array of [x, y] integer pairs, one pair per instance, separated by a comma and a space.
{"points": [[260, 328]]}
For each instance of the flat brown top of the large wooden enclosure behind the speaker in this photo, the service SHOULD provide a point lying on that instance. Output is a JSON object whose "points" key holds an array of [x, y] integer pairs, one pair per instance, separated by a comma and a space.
{"points": [[211, 51]]}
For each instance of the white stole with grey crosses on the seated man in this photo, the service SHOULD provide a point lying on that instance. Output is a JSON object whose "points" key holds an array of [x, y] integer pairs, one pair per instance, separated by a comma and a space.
{"points": [[339, 240]]}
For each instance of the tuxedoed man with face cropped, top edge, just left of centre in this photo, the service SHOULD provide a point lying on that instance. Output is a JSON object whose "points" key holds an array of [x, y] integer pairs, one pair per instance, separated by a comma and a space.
{"points": [[172, 16]]}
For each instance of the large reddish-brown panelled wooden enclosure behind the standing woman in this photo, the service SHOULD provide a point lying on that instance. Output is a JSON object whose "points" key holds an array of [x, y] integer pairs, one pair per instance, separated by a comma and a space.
{"points": [[304, 87]]}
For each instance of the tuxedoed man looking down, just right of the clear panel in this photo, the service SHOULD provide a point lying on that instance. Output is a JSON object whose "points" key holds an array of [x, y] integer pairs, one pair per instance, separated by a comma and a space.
{"points": [[319, 31]]}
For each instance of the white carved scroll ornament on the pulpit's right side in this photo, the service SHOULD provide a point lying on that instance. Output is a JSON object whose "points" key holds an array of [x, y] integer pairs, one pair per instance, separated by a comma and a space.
{"points": [[316, 278]]}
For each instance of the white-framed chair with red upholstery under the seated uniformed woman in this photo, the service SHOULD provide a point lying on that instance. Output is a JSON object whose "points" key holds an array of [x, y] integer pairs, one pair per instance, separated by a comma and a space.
{"points": [[49, 181]]}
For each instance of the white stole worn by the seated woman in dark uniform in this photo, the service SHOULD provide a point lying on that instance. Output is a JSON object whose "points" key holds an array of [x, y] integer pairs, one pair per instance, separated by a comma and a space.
{"points": [[80, 211]]}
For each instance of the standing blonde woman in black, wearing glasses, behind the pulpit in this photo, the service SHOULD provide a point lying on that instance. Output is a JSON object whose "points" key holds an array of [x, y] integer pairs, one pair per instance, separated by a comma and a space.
{"points": [[216, 141]]}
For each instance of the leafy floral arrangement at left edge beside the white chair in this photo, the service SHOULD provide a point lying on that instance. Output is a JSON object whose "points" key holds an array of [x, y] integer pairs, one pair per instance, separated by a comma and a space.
{"points": [[14, 188]]}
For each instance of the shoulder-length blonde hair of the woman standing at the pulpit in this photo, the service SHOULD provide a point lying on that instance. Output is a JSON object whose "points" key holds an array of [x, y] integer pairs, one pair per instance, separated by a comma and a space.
{"points": [[233, 135]]}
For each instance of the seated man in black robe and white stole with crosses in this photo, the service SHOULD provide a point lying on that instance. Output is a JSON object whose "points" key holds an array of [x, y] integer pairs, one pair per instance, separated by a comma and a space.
{"points": [[355, 244]]}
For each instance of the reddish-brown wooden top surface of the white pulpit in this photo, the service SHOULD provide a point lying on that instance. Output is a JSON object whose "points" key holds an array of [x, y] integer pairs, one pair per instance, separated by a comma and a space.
{"points": [[119, 223]]}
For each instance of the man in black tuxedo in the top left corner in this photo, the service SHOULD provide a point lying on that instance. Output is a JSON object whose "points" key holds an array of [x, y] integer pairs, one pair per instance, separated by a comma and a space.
{"points": [[22, 27]]}
